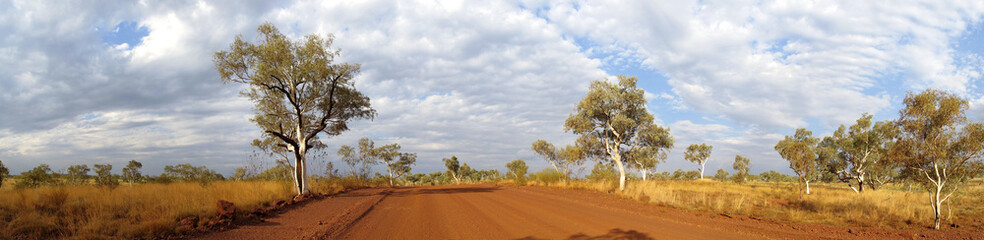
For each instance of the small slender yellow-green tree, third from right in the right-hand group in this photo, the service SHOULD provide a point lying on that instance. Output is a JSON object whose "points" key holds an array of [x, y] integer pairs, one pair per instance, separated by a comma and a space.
{"points": [[799, 150]]}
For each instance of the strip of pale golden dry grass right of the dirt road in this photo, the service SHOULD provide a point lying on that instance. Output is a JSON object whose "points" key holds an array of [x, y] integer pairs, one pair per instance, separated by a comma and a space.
{"points": [[891, 207]]}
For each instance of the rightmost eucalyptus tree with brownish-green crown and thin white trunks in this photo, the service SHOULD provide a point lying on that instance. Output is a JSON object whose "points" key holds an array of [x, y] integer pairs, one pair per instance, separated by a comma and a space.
{"points": [[937, 146]]}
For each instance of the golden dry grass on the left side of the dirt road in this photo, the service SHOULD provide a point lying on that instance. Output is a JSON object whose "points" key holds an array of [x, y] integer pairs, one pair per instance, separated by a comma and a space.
{"points": [[141, 211]]}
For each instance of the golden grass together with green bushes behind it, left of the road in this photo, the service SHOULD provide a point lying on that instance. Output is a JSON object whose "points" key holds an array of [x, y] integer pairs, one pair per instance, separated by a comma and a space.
{"points": [[41, 204]]}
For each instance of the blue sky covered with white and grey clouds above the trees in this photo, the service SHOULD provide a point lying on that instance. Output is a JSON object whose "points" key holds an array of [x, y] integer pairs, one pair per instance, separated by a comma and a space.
{"points": [[85, 82]]}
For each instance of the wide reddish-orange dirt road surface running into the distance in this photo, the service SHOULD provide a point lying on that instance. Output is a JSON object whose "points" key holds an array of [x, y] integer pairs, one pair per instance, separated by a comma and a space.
{"points": [[507, 212]]}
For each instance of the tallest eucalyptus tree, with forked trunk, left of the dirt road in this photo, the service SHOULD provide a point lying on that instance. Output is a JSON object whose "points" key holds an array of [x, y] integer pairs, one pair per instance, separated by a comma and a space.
{"points": [[298, 88]]}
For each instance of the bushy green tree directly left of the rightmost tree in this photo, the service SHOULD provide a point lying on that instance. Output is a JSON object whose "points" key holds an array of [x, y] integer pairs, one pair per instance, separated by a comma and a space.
{"points": [[860, 148]]}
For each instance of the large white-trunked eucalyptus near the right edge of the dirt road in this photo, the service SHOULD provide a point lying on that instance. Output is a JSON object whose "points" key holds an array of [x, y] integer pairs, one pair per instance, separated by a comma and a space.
{"points": [[613, 123]]}
